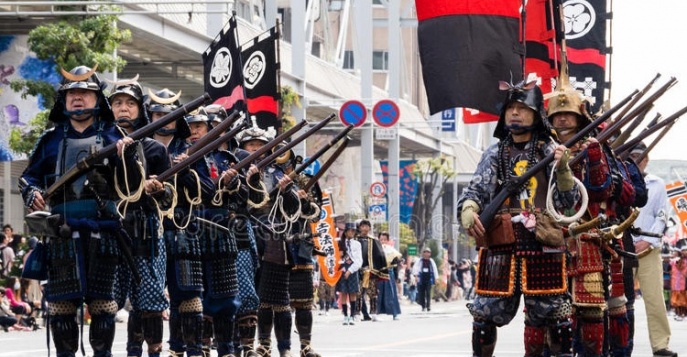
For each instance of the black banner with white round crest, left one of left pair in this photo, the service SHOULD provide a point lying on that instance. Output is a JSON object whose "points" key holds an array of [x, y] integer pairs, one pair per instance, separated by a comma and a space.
{"points": [[223, 77]]}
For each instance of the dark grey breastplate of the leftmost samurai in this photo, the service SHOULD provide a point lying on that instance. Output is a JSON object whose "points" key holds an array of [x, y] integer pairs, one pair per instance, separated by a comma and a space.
{"points": [[69, 153]]}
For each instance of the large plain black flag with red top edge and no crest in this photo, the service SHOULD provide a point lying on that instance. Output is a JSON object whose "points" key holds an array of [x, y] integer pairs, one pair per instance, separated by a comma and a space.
{"points": [[466, 48]]}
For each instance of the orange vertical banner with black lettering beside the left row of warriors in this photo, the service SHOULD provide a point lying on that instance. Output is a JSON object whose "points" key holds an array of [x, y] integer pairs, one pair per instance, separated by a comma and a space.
{"points": [[329, 264]]}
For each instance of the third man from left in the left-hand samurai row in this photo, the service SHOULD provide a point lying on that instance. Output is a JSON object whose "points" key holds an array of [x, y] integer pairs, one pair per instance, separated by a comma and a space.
{"points": [[193, 185]]}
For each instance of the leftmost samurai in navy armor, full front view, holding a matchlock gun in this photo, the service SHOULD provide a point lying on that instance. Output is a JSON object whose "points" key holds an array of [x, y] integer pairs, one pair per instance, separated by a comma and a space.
{"points": [[83, 245]]}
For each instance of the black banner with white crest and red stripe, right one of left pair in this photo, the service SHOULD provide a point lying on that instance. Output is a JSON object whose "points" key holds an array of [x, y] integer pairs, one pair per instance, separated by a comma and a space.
{"points": [[261, 78]]}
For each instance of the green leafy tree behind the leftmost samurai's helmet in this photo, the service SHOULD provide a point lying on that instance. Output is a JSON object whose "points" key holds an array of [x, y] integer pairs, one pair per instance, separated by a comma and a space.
{"points": [[69, 42]]}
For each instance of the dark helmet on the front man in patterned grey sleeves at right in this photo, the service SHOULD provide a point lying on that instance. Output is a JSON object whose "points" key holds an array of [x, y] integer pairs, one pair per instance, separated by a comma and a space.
{"points": [[531, 96]]}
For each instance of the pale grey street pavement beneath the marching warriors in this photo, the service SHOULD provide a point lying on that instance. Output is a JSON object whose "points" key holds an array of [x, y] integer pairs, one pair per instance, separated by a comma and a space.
{"points": [[444, 331]]}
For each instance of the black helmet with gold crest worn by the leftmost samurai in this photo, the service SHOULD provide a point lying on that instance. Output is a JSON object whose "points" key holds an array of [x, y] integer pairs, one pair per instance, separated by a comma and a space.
{"points": [[81, 77]]}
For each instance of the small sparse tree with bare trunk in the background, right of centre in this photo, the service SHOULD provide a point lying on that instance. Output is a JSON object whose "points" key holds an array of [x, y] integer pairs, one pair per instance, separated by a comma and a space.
{"points": [[430, 172]]}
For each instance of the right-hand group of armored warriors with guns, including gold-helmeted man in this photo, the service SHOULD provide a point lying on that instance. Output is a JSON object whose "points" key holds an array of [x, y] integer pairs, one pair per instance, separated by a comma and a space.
{"points": [[570, 272]]}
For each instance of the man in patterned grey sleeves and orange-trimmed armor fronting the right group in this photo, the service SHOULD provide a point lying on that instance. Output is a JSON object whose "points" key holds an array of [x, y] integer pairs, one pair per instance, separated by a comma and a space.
{"points": [[513, 261]]}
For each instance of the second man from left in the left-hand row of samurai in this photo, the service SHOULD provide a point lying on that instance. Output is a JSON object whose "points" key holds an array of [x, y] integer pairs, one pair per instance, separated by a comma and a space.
{"points": [[142, 223]]}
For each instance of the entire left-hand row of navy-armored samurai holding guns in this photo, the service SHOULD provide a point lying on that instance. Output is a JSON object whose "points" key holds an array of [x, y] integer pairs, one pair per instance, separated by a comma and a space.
{"points": [[230, 246]]}
